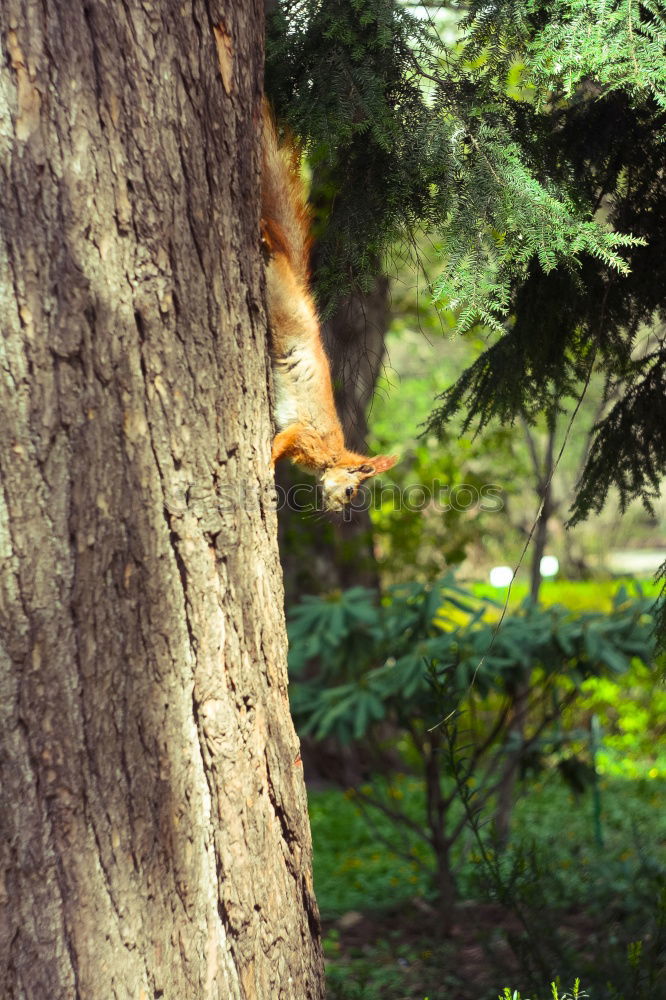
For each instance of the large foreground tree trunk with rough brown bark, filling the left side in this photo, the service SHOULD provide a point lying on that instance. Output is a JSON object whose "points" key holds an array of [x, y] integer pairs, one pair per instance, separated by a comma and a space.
{"points": [[155, 839]]}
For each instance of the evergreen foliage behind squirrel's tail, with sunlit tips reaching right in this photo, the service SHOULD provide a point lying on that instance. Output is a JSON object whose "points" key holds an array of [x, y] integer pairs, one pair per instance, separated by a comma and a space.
{"points": [[408, 131]]}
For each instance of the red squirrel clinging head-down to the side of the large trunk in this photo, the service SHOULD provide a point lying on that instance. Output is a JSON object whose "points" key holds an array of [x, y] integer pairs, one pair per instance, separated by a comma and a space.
{"points": [[309, 429]]}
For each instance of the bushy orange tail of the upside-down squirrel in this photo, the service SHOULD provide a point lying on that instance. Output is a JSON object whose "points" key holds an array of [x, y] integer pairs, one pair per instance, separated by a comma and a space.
{"points": [[285, 217]]}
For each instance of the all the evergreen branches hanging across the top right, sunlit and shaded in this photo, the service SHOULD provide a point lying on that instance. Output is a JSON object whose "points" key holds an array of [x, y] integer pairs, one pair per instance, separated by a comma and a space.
{"points": [[530, 149]]}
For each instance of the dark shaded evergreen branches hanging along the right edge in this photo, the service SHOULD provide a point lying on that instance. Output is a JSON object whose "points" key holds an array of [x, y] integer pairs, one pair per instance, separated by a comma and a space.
{"points": [[573, 325]]}
